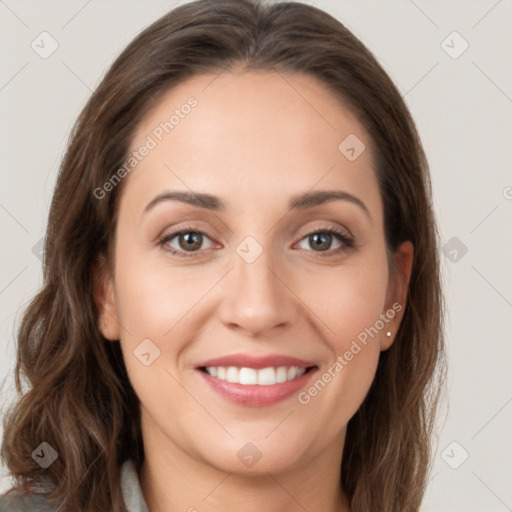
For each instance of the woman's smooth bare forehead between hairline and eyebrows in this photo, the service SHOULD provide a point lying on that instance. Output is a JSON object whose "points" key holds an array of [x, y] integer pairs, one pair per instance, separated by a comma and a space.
{"points": [[250, 133]]}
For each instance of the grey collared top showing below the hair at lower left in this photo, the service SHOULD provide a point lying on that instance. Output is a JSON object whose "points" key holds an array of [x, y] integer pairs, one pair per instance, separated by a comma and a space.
{"points": [[130, 487]]}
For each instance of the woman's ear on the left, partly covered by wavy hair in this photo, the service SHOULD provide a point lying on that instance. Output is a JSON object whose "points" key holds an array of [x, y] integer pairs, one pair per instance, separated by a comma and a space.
{"points": [[104, 297]]}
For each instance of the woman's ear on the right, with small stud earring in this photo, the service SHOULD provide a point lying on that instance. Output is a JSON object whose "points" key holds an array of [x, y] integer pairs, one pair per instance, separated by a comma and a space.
{"points": [[396, 296]]}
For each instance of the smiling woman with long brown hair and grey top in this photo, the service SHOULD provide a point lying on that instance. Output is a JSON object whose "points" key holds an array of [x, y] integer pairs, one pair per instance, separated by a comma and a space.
{"points": [[241, 305]]}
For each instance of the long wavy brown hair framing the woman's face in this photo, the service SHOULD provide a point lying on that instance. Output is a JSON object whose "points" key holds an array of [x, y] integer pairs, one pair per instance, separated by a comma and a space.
{"points": [[79, 398]]}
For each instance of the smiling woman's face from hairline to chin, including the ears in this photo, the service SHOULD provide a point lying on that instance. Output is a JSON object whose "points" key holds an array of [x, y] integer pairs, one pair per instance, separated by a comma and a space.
{"points": [[256, 277]]}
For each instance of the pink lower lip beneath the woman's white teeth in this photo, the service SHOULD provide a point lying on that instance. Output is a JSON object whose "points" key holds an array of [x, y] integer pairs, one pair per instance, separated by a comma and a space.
{"points": [[254, 395]]}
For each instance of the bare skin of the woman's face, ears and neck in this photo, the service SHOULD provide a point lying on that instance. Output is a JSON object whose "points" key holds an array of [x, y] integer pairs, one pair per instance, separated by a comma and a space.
{"points": [[255, 140]]}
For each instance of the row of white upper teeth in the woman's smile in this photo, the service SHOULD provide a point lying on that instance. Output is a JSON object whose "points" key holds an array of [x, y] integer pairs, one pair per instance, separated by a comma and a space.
{"points": [[250, 376]]}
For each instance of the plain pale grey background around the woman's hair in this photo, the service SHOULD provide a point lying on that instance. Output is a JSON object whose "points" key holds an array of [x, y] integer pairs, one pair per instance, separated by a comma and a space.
{"points": [[461, 99]]}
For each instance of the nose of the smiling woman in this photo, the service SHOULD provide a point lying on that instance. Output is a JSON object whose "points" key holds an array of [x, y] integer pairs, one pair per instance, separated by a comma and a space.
{"points": [[257, 299]]}
